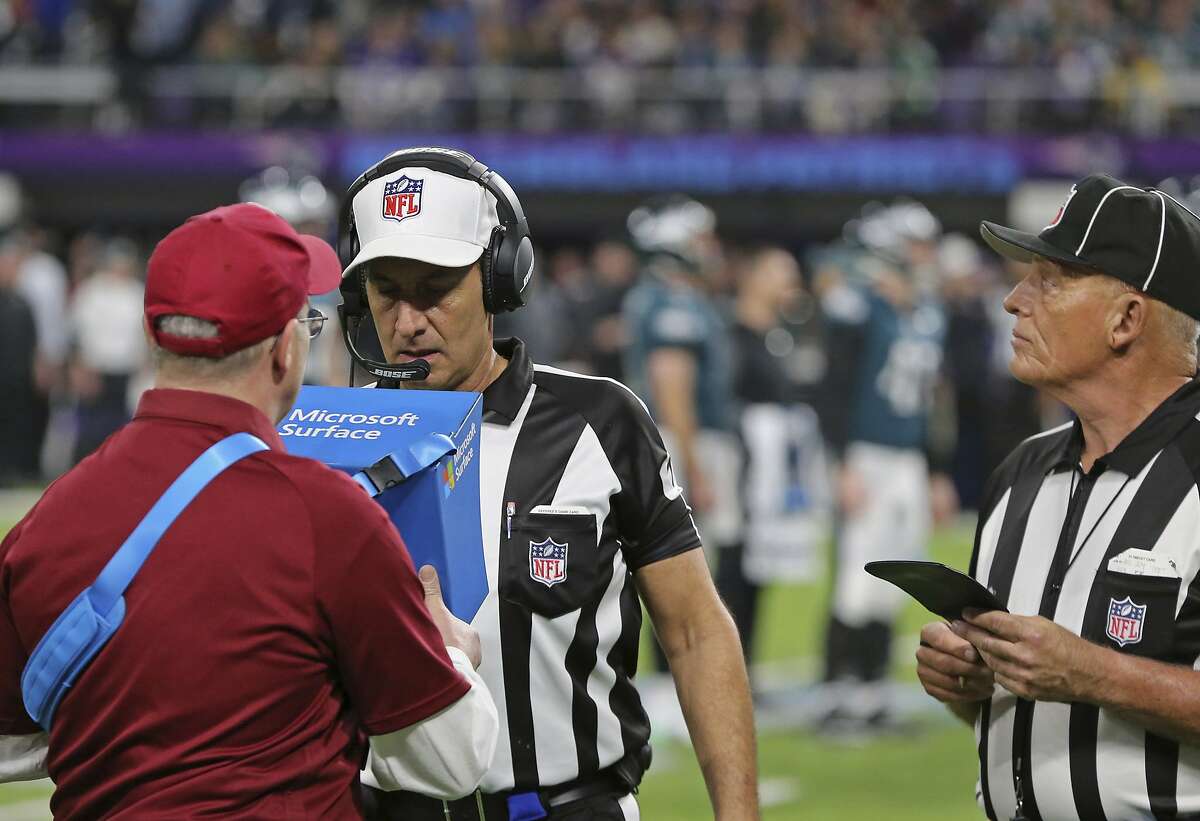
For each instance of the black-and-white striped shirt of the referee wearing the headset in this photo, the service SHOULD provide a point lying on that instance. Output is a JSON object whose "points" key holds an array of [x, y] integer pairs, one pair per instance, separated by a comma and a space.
{"points": [[577, 493]]}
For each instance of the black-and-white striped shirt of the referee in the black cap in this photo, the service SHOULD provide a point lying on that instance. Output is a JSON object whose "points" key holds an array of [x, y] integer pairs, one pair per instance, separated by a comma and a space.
{"points": [[1053, 541]]}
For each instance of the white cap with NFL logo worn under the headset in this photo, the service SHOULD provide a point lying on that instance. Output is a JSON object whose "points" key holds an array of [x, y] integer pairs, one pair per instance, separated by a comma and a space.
{"points": [[423, 214]]}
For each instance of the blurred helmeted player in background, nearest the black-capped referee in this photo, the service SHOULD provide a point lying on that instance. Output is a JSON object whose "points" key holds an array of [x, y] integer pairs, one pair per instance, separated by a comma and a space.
{"points": [[886, 329]]}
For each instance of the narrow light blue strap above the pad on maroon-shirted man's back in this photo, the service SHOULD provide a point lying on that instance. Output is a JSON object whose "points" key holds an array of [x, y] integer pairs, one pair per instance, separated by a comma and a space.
{"points": [[121, 571]]}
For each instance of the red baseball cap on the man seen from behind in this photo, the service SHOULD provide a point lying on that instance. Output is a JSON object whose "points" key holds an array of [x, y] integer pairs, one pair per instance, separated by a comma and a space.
{"points": [[239, 267]]}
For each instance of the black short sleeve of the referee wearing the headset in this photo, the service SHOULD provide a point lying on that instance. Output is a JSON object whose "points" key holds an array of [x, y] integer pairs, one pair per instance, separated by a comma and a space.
{"points": [[656, 520]]}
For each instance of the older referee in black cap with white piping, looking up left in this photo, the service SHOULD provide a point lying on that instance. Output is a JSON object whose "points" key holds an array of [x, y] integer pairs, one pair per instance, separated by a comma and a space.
{"points": [[1085, 696]]}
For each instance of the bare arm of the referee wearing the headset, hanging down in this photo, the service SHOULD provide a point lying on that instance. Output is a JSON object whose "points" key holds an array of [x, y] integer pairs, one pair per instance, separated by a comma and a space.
{"points": [[703, 648]]}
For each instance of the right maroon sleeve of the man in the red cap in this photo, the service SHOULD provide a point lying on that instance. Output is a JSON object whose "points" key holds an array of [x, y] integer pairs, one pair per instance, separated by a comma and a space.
{"points": [[391, 655]]}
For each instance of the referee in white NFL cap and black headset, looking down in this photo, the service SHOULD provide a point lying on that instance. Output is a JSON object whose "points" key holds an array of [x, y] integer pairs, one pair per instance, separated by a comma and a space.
{"points": [[581, 517]]}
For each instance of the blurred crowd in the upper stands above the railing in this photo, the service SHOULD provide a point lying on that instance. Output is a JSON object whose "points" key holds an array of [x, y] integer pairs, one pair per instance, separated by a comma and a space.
{"points": [[586, 33]]}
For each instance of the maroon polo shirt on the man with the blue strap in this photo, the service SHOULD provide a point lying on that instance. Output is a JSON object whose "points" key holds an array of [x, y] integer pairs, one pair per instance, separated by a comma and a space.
{"points": [[278, 624]]}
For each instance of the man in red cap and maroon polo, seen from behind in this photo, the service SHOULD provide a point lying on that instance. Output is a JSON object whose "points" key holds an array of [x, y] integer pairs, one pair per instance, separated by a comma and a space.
{"points": [[279, 631]]}
